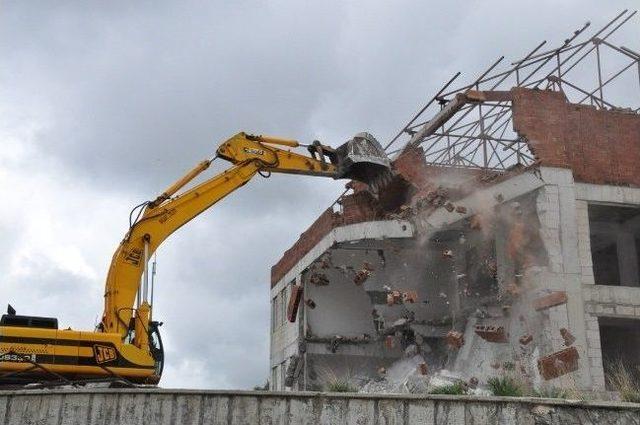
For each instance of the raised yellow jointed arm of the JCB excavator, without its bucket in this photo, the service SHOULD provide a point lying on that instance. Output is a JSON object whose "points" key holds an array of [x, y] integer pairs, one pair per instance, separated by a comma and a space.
{"points": [[167, 213]]}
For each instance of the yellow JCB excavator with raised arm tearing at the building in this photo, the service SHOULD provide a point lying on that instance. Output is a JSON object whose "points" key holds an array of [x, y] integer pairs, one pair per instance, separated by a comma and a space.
{"points": [[126, 346]]}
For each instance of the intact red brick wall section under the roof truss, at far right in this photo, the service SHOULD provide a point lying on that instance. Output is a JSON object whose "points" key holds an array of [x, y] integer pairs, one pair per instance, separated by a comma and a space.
{"points": [[601, 147]]}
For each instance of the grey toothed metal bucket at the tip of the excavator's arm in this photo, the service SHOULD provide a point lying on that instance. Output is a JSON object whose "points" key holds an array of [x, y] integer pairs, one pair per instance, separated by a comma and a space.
{"points": [[363, 159]]}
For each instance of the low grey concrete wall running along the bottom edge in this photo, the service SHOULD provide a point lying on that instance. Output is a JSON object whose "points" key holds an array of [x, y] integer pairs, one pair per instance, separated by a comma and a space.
{"points": [[156, 406]]}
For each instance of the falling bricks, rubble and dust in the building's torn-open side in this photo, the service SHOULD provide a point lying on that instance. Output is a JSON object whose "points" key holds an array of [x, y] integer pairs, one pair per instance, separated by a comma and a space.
{"points": [[464, 303]]}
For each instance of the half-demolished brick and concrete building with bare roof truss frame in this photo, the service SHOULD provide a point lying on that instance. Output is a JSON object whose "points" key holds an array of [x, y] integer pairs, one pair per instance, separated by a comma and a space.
{"points": [[507, 241]]}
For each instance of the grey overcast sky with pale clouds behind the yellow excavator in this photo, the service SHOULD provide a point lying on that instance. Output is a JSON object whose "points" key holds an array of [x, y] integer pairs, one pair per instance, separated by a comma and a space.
{"points": [[103, 104]]}
